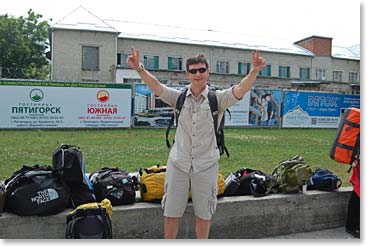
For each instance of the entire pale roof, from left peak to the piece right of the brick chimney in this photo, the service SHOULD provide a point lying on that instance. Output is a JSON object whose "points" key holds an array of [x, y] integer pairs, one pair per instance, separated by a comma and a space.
{"points": [[83, 19]]}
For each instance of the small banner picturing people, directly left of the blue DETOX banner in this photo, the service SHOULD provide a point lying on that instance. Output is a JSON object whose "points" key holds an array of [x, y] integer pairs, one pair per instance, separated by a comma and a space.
{"points": [[265, 107]]}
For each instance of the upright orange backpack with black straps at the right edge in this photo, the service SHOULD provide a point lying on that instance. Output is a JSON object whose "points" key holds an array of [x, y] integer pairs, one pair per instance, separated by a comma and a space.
{"points": [[345, 148]]}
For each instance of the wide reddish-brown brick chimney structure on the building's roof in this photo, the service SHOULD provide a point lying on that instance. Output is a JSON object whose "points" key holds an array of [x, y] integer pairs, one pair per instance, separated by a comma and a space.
{"points": [[320, 46]]}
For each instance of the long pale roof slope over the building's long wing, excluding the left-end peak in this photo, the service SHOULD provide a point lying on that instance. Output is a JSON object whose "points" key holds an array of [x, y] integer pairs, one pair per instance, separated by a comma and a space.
{"points": [[176, 34]]}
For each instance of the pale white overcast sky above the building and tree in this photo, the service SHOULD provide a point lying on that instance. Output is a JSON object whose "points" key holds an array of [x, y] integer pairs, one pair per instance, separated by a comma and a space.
{"points": [[290, 20]]}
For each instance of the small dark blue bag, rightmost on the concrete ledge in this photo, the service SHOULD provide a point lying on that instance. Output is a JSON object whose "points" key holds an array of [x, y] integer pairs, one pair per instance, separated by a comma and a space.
{"points": [[323, 179]]}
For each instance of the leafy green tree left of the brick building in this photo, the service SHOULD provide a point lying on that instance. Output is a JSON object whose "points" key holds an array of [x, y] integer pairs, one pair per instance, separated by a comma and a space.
{"points": [[23, 42]]}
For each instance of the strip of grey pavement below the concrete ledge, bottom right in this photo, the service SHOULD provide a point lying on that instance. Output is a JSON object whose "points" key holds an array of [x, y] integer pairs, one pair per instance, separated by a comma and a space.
{"points": [[336, 233]]}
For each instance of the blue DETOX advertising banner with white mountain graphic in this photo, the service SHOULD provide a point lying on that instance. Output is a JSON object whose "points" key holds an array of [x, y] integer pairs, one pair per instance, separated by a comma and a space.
{"points": [[314, 109]]}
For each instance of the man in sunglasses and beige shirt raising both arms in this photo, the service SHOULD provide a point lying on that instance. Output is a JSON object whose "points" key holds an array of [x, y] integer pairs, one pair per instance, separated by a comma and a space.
{"points": [[193, 160]]}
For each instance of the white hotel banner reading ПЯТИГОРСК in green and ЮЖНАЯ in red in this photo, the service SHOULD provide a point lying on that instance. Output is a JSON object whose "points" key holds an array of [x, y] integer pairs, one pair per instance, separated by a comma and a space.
{"points": [[29, 104]]}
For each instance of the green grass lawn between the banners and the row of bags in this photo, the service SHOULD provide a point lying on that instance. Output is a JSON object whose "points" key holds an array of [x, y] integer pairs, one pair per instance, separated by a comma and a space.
{"points": [[131, 149]]}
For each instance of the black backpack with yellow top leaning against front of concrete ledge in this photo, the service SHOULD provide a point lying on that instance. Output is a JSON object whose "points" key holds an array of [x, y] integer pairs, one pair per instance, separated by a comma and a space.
{"points": [[90, 221]]}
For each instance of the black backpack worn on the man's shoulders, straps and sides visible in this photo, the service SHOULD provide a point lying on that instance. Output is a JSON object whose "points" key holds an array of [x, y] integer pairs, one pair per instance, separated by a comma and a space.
{"points": [[218, 129]]}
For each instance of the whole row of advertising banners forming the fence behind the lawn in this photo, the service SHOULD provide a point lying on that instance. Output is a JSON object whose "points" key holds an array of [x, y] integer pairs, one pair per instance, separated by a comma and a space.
{"points": [[50, 104]]}
